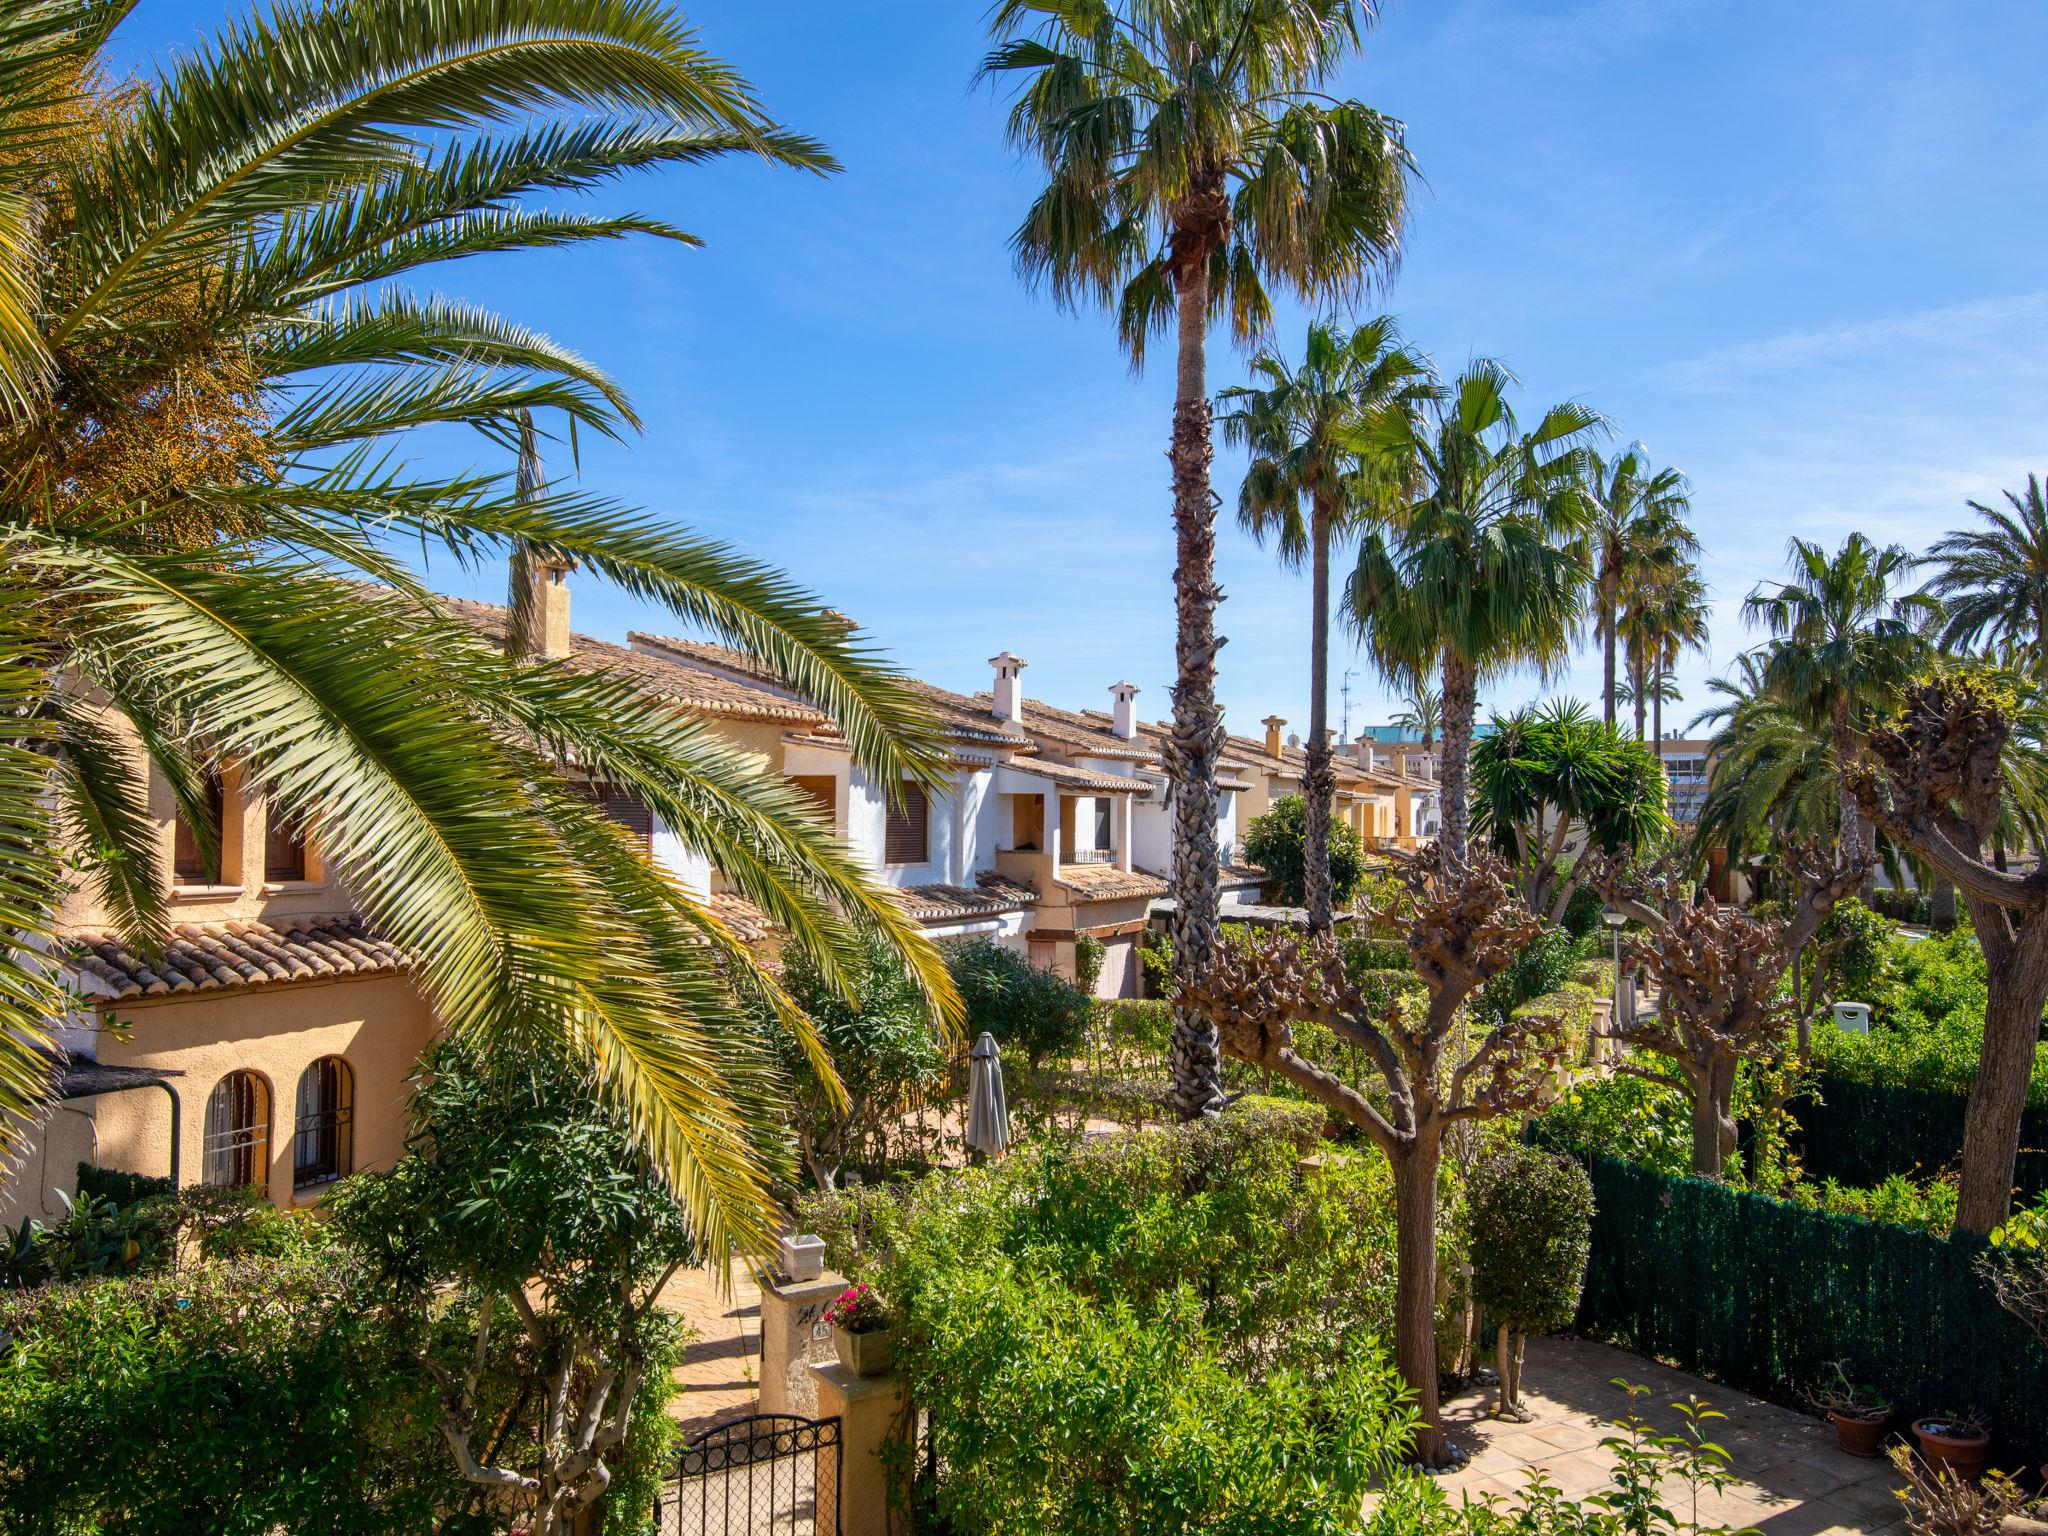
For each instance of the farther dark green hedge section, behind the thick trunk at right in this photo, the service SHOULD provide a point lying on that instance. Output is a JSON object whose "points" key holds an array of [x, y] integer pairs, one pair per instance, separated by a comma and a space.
{"points": [[1863, 1134]]}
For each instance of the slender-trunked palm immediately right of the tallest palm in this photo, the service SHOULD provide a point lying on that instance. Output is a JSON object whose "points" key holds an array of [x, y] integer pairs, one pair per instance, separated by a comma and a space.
{"points": [[1308, 429]]}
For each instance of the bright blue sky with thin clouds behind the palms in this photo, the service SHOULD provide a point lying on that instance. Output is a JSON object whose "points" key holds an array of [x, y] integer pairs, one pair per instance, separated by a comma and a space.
{"points": [[1795, 249]]}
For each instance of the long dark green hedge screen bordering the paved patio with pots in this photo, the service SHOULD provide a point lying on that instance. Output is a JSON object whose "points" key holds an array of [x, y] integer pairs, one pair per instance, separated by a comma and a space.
{"points": [[1762, 1295]]}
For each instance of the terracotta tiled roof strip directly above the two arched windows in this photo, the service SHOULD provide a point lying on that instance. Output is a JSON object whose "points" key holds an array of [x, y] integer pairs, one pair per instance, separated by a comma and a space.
{"points": [[208, 957]]}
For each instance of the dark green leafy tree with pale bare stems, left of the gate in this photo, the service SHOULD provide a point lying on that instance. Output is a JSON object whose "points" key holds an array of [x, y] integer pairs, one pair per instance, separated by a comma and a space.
{"points": [[527, 1205]]}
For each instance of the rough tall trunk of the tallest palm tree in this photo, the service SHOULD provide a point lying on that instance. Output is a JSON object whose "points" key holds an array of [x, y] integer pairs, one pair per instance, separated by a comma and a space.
{"points": [[1197, 740]]}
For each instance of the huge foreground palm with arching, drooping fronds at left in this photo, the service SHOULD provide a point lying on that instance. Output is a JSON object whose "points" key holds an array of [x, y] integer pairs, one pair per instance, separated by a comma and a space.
{"points": [[198, 476]]}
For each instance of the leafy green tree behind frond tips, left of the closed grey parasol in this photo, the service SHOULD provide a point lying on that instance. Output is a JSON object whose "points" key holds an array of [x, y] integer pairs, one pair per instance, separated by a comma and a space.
{"points": [[880, 1043]]}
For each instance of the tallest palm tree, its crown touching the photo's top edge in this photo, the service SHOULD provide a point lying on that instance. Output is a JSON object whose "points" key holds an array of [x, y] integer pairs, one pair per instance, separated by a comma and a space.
{"points": [[1191, 161]]}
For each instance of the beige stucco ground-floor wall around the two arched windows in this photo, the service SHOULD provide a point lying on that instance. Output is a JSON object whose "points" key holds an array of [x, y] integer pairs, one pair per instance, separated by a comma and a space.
{"points": [[378, 1025]]}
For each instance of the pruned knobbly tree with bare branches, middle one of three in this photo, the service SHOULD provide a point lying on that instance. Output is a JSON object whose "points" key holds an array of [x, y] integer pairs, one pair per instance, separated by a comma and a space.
{"points": [[1717, 972]]}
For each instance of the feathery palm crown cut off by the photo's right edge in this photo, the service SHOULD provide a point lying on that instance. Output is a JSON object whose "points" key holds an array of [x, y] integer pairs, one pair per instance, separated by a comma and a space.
{"points": [[1994, 581]]}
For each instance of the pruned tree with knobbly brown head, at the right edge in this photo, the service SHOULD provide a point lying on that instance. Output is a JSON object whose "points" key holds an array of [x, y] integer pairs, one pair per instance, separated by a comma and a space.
{"points": [[1934, 779]]}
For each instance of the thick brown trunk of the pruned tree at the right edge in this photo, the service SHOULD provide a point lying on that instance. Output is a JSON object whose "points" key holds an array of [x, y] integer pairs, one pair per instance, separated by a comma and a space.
{"points": [[2018, 988]]}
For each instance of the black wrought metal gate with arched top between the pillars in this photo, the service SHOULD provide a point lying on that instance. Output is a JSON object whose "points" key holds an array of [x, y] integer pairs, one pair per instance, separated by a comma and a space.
{"points": [[765, 1476]]}
